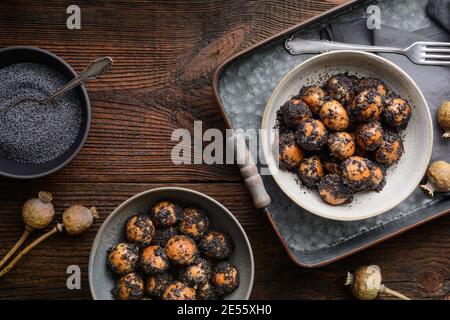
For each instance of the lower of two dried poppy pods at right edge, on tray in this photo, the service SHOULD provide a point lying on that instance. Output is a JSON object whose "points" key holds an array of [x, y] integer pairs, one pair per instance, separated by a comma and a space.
{"points": [[438, 175]]}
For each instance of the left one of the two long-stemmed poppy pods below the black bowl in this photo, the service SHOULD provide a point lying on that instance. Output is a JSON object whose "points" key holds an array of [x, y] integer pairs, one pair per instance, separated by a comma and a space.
{"points": [[37, 213]]}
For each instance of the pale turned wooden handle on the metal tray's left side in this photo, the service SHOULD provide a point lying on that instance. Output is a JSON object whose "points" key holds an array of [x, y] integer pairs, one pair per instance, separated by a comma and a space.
{"points": [[249, 172]]}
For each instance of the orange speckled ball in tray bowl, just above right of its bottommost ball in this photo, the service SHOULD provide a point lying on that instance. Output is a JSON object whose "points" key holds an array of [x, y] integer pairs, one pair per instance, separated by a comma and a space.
{"points": [[356, 172]]}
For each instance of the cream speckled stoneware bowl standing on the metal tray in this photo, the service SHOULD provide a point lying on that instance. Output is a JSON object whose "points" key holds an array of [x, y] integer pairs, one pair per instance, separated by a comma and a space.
{"points": [[402, 178]]}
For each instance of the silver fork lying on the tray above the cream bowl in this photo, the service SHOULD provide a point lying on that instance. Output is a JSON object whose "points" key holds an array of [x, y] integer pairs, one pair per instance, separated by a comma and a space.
{"points": [[427, 53]]}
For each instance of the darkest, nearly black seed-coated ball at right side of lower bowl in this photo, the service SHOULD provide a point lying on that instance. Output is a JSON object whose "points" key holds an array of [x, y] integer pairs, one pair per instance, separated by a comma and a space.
{"points": [[216, 245]]}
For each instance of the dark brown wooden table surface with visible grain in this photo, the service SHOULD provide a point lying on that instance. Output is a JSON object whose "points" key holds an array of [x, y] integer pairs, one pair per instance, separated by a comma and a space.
{"points": [[165, 53]]}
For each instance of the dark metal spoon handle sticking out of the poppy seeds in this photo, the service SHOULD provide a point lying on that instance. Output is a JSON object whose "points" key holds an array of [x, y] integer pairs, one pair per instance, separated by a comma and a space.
{"points": [[92, 71]]}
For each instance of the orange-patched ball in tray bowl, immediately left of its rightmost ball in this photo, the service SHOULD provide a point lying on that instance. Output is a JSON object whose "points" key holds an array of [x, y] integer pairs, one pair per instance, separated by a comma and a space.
{"points": [[367, 106]]}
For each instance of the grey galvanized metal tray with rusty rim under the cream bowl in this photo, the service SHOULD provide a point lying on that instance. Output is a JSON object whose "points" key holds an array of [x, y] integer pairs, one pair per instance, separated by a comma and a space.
{"points": [[309, 240]]}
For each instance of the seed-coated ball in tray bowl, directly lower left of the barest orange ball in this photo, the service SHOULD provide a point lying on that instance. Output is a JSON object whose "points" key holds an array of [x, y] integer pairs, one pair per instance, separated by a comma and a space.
{"points": [[311, 135]]}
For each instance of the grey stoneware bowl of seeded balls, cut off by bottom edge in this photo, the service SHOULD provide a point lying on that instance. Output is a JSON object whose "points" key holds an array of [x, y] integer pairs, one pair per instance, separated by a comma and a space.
{"points": [[101, 280]]}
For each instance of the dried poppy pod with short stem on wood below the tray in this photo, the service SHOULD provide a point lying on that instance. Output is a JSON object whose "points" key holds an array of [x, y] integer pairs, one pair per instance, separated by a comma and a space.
{"points": [[366, 284]]}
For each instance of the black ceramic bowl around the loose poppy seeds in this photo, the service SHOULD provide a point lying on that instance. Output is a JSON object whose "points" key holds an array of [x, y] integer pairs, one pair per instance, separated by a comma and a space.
{"points": [[19, 54]]}
